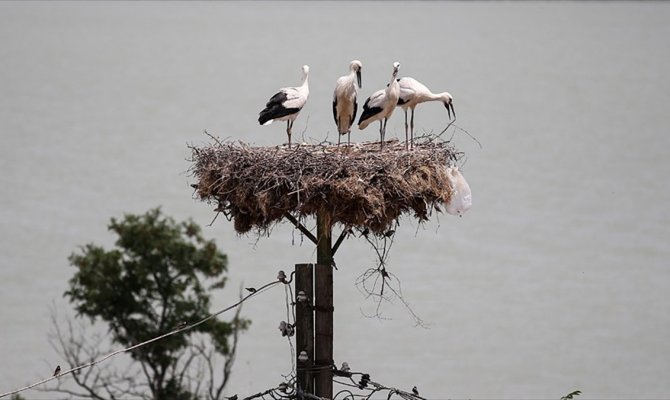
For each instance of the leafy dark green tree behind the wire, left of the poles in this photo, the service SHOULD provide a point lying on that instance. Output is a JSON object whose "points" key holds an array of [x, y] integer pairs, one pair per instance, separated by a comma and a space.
{"points": [[156, 278]]}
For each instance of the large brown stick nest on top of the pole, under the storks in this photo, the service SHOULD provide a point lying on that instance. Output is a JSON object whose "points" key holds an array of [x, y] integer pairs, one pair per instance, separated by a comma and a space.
{"points": [[358, 186]]}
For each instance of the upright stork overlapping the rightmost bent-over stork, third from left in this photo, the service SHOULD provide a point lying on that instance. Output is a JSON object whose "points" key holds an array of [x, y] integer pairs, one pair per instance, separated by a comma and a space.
{"points": [[381, 104]]}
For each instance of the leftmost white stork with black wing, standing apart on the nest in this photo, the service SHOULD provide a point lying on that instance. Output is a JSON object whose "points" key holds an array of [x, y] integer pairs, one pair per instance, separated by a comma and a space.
{"points": [[286, 104]]}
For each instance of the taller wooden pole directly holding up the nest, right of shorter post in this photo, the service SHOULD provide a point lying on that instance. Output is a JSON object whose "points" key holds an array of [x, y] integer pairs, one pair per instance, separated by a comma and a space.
{"points": [[323, 354]]}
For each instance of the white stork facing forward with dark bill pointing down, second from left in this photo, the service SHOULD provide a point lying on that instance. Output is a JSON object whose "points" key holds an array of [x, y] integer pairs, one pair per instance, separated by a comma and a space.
{"points": [[345, 106]]}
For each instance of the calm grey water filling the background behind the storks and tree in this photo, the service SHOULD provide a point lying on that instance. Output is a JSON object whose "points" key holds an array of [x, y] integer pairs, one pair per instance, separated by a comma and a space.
{"points": [[557, 279]]}
